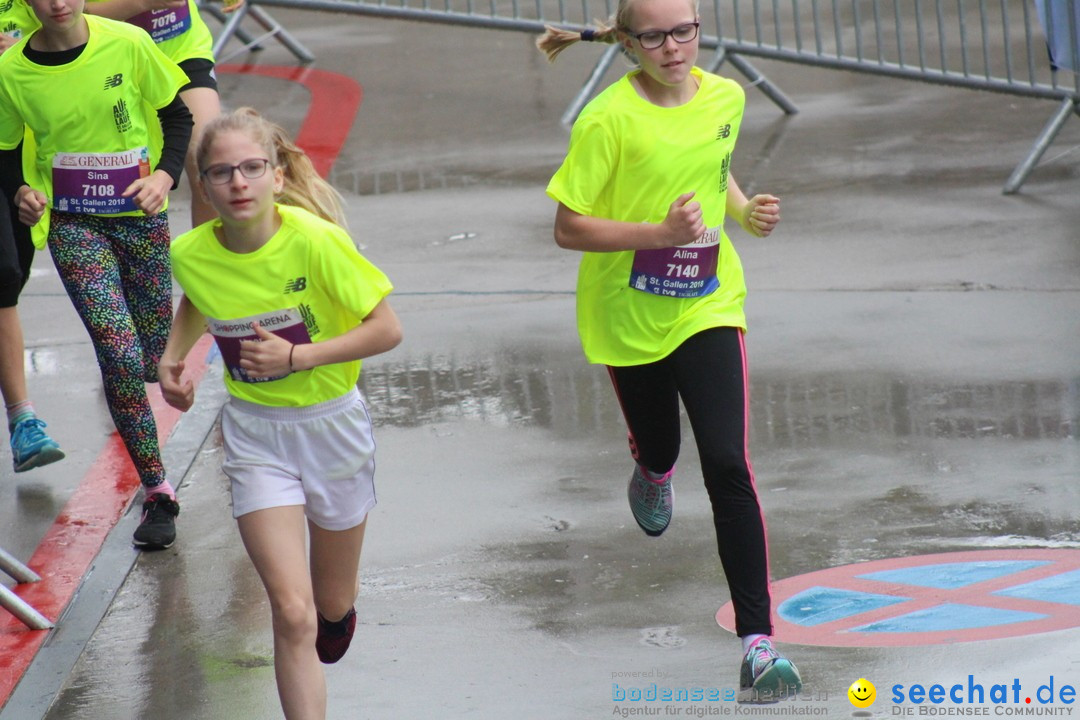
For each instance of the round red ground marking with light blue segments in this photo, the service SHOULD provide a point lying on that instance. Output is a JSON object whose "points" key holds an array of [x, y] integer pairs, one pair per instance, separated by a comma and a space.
{"points": [[930, 600]]}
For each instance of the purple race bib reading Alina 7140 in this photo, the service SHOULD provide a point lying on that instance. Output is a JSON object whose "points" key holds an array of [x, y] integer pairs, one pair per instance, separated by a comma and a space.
{"points": [[687, 271]]}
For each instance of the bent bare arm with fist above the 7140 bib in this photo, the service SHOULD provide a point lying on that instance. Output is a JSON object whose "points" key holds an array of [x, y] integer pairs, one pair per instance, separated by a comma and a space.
{"points": [[683, 225]]}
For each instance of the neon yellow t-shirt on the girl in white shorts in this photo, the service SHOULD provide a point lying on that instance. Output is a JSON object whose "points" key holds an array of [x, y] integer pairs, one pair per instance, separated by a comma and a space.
{"points": [[307, 280]]}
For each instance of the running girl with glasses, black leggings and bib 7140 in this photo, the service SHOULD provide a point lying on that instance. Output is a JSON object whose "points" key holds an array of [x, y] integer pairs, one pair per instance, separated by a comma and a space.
{"points": [[643, 194]]}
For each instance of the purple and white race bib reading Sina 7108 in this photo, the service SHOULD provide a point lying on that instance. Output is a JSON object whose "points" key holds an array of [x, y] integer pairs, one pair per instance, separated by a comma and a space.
{"points": [[91, 183]]}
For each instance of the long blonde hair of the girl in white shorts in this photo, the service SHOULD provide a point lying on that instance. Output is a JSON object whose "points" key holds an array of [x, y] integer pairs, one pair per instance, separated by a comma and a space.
{"points": [[304, 187]]}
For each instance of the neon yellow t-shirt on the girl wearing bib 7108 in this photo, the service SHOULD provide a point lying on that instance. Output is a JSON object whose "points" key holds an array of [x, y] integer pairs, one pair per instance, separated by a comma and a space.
{"points": [[94, 119]]}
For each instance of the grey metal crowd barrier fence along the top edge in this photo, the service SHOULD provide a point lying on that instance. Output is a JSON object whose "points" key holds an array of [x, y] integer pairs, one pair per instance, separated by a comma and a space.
{"points": [[1003, 46]]}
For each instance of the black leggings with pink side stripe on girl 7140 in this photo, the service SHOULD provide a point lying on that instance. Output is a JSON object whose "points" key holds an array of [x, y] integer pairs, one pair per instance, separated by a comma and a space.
{"points": [[709, 373]]}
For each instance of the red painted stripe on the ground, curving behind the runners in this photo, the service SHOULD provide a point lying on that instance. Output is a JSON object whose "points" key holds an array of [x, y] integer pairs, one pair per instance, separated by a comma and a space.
{"points": [[76, 537]]}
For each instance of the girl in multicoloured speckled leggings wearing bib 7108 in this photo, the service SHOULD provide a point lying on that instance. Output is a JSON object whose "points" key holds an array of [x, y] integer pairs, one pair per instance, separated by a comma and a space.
{"points": [[102, 104]]}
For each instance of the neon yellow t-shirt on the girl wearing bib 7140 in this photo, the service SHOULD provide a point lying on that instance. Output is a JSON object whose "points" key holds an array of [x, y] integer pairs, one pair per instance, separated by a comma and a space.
{"points": [[629, 160]]}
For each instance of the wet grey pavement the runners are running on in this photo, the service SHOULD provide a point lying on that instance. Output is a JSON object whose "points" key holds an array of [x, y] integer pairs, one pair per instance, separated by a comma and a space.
{"points": [[914, 344]]}
